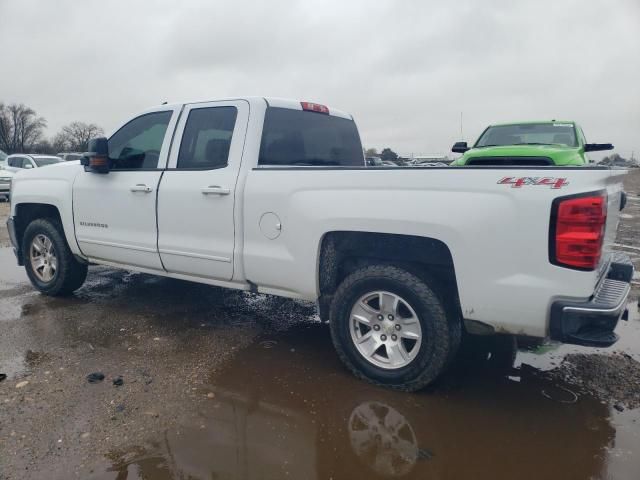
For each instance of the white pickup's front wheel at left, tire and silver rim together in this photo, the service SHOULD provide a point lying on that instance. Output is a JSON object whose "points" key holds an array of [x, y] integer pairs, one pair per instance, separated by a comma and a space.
{"points": [[49, 263]]}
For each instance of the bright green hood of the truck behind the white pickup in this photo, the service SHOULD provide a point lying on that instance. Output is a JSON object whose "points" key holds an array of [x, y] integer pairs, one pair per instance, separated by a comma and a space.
{"points": [[559, 154]]}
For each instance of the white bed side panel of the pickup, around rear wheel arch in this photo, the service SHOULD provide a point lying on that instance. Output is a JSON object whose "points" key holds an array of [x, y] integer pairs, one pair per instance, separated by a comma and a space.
{"points": [[498, 235]]}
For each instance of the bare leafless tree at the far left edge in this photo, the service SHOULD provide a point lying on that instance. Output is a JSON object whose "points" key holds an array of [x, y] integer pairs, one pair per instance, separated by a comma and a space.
{"points": [[20, 128]]}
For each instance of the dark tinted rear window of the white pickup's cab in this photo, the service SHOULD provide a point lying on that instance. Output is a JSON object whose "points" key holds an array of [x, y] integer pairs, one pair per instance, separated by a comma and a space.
{"points": [[302, 138]]}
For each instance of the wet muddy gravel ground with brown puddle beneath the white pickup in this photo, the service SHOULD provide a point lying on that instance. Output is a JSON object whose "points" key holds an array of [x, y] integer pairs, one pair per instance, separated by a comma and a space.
{"points": [[218, 384]]}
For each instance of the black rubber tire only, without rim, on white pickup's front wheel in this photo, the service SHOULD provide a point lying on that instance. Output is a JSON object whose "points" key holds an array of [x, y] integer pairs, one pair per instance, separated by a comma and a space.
{"points": [[70, 273]]}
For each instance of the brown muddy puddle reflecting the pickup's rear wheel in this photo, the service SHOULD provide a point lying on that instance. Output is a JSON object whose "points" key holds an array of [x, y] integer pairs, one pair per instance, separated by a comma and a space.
{"points": [[291, 411]]}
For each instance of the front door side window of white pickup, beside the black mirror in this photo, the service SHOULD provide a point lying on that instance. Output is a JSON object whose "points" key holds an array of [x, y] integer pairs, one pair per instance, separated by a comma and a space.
{"points": [[137, 145]]}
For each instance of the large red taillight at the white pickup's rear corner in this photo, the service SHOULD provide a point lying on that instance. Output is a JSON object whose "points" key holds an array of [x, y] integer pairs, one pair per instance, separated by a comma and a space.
{"points": [[579, 231]]}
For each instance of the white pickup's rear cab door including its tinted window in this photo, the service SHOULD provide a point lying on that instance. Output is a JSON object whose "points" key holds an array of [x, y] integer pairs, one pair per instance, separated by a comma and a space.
{"points": [[196, 199]]}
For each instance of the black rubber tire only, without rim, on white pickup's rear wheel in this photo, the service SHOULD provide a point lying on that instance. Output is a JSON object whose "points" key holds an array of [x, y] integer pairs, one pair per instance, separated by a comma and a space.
{"points": [[438, 340]]}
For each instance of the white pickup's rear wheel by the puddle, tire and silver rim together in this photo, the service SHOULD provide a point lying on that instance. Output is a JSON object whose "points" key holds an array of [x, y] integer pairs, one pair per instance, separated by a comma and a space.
{"points": [[390, 328]]}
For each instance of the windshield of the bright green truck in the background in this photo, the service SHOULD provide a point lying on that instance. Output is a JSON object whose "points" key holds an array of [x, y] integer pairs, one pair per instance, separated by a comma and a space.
{"points": [[529, 134]]}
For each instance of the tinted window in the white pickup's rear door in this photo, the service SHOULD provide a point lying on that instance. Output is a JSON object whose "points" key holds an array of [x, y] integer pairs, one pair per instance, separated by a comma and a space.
{"points": [[207, 138]]}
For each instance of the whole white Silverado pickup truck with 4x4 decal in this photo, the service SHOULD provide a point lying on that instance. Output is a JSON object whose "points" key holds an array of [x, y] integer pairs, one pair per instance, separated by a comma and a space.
{"points": [[273, 196]]}
